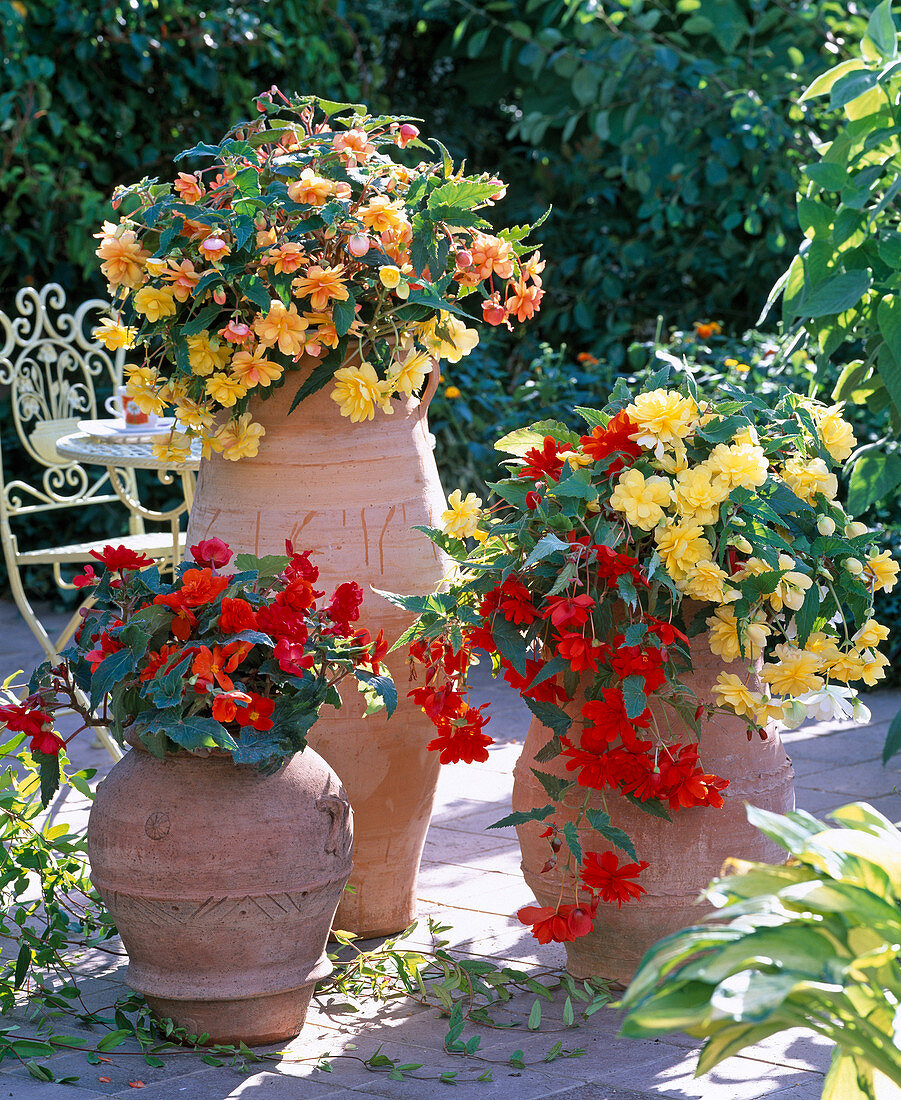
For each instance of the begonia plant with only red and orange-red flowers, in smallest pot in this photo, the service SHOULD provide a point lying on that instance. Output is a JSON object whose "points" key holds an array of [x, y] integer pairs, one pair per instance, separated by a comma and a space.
{"points": [[237, 663]]}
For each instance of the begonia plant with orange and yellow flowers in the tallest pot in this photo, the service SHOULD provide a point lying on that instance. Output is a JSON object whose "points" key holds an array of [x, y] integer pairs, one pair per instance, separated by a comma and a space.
{"points": [[306, 240]]}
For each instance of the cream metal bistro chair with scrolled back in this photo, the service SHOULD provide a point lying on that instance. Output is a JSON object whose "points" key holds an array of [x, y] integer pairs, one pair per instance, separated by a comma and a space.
{"points": [[51, 365]]}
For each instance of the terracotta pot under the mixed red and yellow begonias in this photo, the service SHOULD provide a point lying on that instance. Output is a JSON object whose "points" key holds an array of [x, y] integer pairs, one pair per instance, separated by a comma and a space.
{"points": [[684, 855]]}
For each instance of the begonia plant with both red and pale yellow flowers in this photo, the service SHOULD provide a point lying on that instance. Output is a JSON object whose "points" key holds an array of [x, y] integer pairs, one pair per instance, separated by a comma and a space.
{"points": [[673, 516]]}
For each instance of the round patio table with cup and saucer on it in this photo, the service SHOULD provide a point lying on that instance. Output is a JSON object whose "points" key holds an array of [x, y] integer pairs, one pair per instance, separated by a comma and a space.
{"points": [[120, 455]]}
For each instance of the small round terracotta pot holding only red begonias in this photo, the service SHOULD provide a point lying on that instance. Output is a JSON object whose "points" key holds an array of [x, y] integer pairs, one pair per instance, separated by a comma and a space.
{"points": [[223, 884]]}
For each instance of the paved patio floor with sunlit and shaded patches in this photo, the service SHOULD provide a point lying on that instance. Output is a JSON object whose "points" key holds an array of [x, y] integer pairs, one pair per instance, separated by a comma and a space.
{"points": [[470, 881]]}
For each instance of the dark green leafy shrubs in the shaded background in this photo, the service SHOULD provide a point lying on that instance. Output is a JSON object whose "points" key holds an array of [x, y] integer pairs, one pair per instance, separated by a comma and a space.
{"points": [[667, 135]]}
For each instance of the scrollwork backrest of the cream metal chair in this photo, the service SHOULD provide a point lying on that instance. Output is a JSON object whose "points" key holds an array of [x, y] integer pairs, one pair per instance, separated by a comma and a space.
{"points": [[52, 366]]}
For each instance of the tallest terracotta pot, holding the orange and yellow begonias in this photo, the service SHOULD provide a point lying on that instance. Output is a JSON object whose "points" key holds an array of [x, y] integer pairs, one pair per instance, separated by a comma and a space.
{"points": [[351, 493]]}
